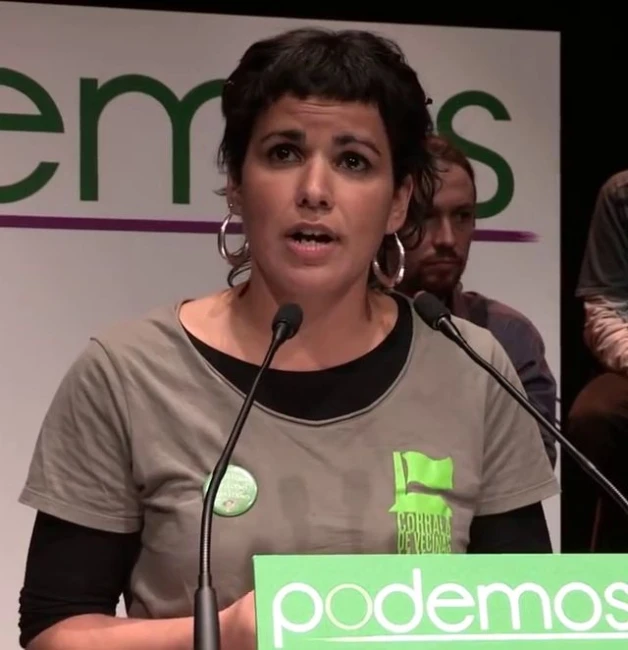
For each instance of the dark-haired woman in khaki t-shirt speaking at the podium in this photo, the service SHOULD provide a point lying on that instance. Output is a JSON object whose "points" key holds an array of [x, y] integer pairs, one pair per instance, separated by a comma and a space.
{"points": [[371, 433]]}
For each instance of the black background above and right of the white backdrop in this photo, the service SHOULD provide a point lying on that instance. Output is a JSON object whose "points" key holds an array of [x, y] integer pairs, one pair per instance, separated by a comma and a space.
{"points": [[594, 135]]}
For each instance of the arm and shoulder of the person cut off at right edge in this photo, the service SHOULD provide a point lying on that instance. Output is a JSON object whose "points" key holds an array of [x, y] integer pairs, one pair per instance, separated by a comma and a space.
{"points": [[603, 283]]}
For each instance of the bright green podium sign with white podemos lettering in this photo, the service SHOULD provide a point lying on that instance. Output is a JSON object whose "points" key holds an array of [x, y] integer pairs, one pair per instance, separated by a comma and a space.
{"points": [[431, 602]]}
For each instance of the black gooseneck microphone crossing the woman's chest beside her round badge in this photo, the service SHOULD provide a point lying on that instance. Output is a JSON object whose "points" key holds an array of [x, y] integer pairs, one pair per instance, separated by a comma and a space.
{"points": [[285, 325]]}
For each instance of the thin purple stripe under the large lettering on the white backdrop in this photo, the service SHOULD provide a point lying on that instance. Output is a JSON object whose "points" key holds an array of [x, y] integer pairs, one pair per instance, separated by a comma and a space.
{"points": [[197, 226]]}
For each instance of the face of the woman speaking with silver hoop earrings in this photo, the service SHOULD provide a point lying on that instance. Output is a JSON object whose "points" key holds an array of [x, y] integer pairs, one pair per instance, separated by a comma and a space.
{"points": [[317, 194]]}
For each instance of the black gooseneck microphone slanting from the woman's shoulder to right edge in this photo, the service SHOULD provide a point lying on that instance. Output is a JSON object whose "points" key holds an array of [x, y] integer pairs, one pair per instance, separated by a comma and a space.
{"points": [[436, 315]]}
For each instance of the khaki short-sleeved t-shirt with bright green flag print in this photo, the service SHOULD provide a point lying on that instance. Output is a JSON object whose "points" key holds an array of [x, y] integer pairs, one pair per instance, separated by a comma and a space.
{"points": [[139, 420]]}
